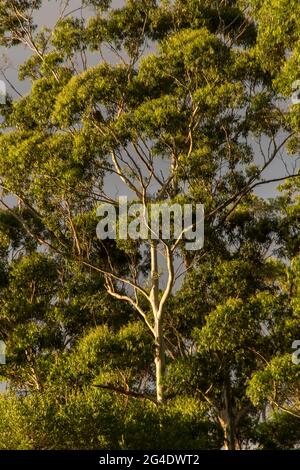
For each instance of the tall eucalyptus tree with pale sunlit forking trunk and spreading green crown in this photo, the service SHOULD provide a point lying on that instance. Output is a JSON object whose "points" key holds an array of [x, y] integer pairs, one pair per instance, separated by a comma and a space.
{"points": [[171, 101]]}
